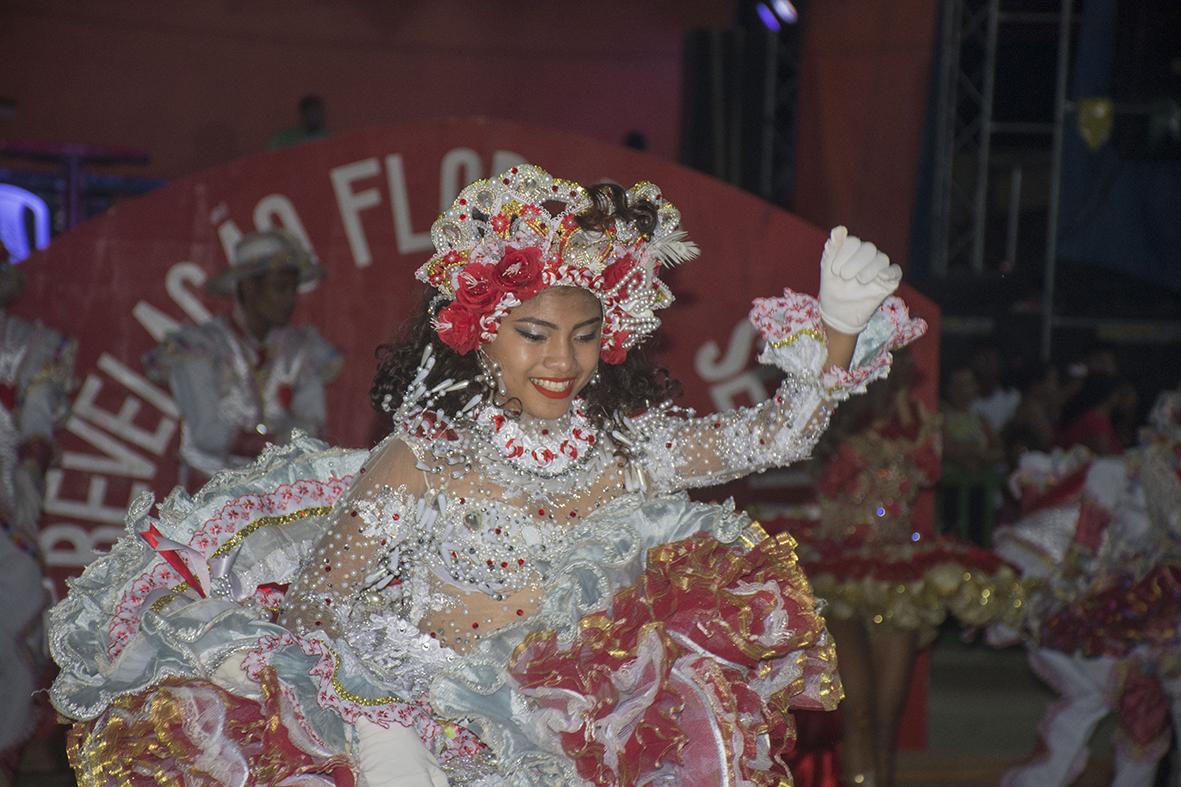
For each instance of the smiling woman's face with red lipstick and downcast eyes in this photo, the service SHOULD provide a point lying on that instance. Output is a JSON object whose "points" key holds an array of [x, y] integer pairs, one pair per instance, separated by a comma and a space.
{"points": [[549, 349]]}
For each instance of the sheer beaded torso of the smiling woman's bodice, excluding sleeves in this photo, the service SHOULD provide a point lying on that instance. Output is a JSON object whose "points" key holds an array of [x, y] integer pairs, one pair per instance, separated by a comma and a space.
{"points": [[478, 551]]}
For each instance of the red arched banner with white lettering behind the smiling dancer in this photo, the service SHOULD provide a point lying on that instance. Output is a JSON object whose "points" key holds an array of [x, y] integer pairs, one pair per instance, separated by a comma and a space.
{"points": [[364, 203]]}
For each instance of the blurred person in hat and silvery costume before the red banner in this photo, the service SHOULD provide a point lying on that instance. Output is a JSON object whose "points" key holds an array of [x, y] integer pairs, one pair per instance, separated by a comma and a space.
{"points": [[249, 379]]}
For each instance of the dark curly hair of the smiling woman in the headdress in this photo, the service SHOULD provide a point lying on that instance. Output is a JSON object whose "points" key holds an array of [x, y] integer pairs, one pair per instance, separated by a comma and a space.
{"points": [[623, 389]]}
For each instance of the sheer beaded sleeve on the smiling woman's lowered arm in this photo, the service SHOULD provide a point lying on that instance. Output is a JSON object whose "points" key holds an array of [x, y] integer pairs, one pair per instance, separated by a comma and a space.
{"points": [[373, 523]]}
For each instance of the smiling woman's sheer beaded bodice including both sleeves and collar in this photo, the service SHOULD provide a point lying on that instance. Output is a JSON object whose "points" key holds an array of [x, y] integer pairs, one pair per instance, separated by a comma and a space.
{"points": [[447, 528]]}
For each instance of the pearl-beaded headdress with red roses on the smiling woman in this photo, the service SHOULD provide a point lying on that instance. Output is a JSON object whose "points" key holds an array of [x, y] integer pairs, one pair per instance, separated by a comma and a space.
{"points": [[506, 239]]}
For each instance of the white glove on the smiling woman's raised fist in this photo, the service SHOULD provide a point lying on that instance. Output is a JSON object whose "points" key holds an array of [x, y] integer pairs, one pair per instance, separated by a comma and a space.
{"points": [[854, 281]]}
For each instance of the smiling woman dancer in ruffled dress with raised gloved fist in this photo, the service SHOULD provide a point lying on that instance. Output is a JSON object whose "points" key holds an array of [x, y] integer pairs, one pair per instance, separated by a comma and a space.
{"points": [[513, 588]]}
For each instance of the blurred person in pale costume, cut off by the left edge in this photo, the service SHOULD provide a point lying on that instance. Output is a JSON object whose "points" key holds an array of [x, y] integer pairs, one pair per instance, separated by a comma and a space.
{"points": [[36, 375]]}
